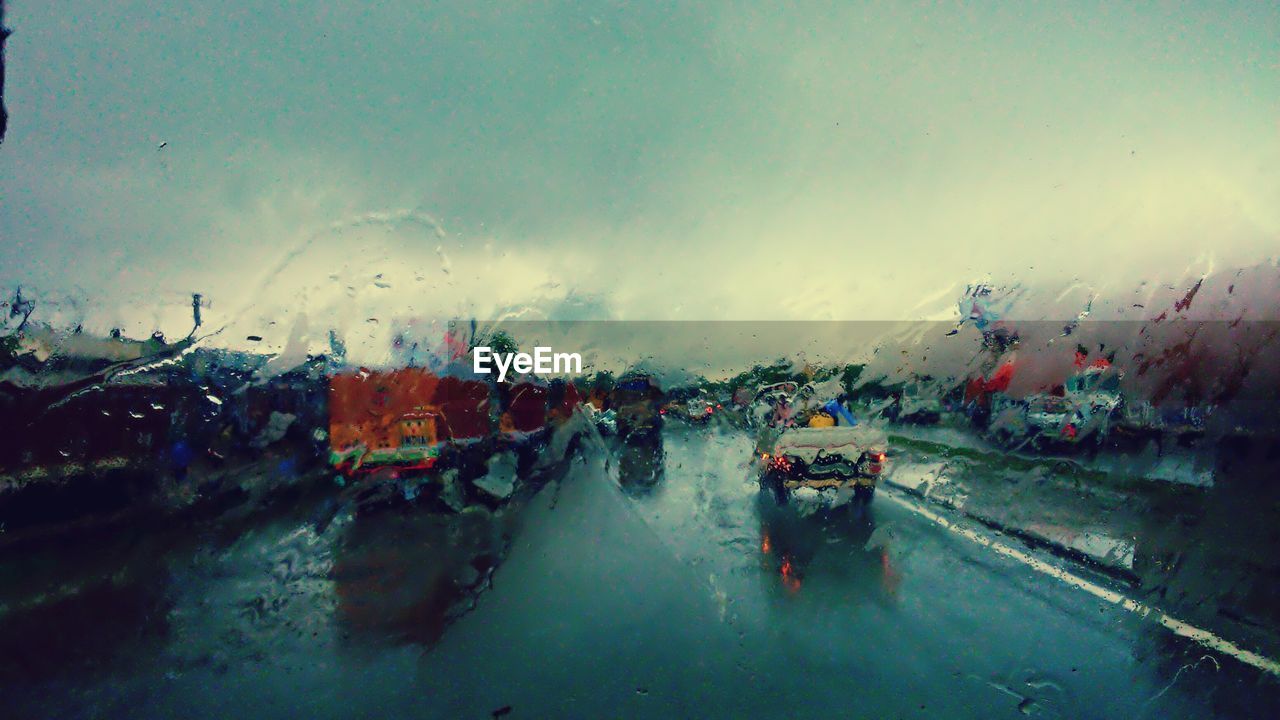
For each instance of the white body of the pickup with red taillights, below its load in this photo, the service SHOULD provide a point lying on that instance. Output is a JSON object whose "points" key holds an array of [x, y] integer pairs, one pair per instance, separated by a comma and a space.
{"points": [[822, 459]]}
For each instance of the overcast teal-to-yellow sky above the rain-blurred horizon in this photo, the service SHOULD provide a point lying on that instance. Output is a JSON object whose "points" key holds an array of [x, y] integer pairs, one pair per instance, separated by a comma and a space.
{"points": [[627, 160]]}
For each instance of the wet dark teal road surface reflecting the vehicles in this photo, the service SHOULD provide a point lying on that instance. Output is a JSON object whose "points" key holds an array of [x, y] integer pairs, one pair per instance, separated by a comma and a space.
{"points": [[698, 599]]}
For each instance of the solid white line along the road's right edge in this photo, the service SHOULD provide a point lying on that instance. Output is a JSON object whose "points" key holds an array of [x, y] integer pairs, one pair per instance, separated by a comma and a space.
{"points": [[1178, 627]]}
